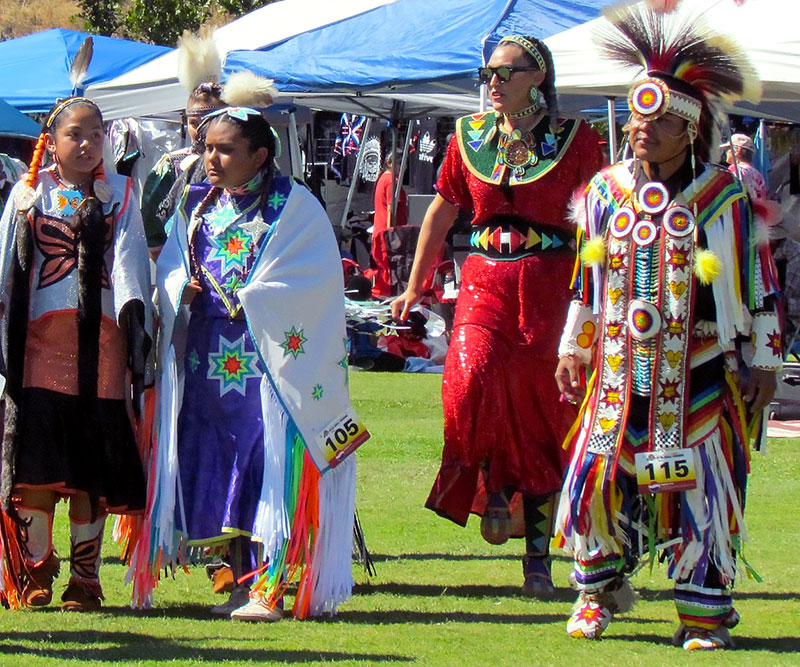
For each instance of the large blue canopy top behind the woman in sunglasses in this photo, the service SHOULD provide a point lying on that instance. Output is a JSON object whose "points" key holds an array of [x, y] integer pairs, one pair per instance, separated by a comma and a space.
{"points": [[408, 46]]}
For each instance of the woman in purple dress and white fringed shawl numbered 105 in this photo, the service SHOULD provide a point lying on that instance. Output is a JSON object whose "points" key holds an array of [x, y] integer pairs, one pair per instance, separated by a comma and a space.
{"points": [[253, 393]]}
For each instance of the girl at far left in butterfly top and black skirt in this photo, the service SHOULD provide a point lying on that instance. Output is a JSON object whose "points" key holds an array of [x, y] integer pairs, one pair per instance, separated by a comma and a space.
{"points": [[74, 293]]}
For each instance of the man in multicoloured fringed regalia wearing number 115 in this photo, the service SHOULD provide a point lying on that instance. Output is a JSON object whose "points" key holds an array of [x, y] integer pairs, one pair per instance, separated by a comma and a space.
{"points": [[673, 273]]}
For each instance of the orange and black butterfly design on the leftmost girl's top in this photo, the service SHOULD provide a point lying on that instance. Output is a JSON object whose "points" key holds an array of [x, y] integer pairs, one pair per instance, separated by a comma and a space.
{"points": [[58, 243]]}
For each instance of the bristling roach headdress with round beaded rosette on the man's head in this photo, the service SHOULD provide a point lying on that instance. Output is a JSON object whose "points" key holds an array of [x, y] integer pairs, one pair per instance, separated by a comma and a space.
{"points": [[690, 70]]}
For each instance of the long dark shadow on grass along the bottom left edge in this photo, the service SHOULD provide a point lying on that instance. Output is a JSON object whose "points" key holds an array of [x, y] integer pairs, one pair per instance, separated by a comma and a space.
{"points": [[134, 646]]}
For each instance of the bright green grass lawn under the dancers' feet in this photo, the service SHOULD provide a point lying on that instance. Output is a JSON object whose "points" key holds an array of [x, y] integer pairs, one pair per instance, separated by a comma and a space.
{"points": [[441, 595]]}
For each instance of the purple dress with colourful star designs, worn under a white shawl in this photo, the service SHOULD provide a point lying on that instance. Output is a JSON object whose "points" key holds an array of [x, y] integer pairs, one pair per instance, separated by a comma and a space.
{"points": [[220, 426]]}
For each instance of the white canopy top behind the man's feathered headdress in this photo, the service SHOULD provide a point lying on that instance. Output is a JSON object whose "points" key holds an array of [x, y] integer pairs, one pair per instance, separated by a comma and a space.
{"points": [[766, 29]]}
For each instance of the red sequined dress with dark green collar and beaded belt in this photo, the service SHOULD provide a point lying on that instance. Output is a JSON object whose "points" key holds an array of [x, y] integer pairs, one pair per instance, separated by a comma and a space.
{"points": [[501, 405]]}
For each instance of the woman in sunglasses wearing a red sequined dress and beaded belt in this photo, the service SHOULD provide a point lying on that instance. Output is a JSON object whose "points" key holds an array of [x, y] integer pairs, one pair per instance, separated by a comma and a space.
{"points": [[515, 168]]}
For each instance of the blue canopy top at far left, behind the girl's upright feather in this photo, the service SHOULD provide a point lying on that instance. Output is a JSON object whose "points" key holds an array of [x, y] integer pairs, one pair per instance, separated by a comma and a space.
{"points": [[34, 69]]}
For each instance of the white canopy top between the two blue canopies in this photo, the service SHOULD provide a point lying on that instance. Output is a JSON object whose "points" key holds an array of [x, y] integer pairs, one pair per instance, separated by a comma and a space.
{"points": [[154, 88]]}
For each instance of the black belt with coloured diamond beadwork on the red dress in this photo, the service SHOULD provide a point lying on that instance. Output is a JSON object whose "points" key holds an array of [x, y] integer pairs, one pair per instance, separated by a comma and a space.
{"points": [[512, 241]]}
